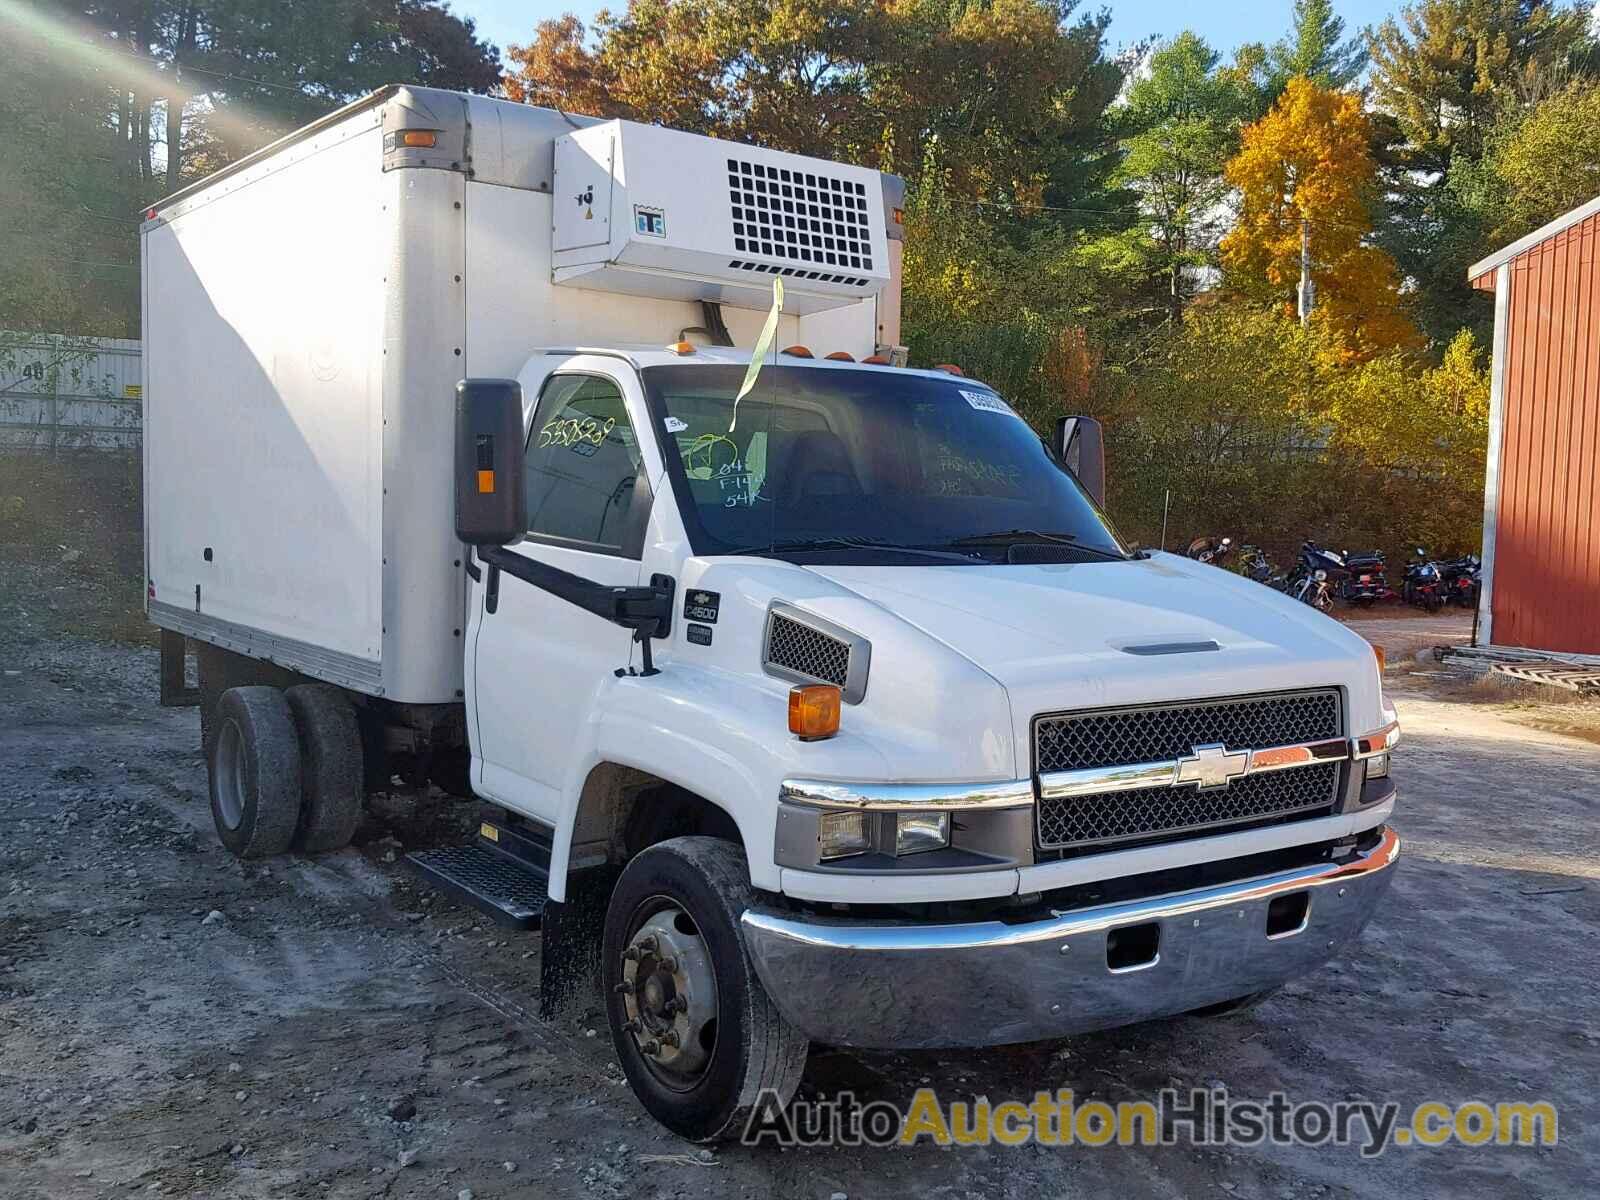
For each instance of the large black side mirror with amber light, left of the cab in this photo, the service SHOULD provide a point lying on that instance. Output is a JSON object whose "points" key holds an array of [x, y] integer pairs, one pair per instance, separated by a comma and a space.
{"points": [[492, 508]]}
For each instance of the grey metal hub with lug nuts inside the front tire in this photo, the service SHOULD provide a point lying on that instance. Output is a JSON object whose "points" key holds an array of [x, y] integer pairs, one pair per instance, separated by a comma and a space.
{"points": [[670, 994]]}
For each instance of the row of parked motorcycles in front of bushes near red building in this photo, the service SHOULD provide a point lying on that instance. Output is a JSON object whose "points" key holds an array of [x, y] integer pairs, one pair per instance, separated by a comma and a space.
{"points": [[1359, 578]]}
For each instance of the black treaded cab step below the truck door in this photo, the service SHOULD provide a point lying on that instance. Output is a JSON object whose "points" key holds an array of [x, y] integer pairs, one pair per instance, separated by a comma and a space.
{"points": [[505, 873]]}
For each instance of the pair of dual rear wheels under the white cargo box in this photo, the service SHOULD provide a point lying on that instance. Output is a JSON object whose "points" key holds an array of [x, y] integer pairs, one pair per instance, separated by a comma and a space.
{"points": [[286, 770]]}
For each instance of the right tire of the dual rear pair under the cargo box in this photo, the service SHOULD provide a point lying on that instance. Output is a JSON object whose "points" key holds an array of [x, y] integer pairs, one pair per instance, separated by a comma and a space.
{"points": [[332, 767]]}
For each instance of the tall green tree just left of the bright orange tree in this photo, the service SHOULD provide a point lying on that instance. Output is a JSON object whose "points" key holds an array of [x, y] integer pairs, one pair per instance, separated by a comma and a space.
{"points": [[1180, 127]]}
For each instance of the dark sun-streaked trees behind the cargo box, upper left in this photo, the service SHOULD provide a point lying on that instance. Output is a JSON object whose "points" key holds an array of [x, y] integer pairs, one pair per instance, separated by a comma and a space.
{"points": [[122, 102]]}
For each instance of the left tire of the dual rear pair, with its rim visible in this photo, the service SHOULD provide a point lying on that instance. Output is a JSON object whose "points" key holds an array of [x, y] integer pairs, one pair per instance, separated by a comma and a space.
{"points": [[255, 772]]}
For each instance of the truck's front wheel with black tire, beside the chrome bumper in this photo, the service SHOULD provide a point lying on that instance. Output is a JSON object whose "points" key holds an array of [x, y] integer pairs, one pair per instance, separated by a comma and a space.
{"points": [[694, 1028]]}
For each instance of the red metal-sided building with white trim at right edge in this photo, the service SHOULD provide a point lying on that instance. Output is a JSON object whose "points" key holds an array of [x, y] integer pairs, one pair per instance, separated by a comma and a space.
{"points": [[1542, 513]]}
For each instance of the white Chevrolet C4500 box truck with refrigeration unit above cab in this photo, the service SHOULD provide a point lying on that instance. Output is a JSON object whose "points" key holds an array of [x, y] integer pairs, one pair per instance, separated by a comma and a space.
{"points": [[814, 700]]}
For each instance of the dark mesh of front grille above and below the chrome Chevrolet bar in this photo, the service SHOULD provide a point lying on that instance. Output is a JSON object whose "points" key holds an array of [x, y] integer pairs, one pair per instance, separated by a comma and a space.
{"points": [[1148, 735]]}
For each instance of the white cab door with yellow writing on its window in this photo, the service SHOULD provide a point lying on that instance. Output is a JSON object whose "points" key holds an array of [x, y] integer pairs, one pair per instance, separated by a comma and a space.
{"points": [[540, 662]]}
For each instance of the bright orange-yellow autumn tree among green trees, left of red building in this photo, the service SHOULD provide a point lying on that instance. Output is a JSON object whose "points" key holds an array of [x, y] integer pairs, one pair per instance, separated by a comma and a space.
{"points": [[1310, 161]]}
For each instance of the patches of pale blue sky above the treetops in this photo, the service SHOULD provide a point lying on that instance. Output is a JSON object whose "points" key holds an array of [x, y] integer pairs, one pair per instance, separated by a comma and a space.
{"points": [[1223, 23]]}
